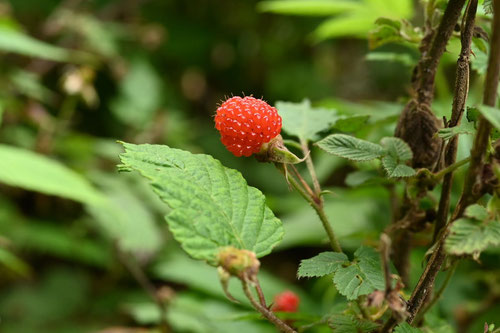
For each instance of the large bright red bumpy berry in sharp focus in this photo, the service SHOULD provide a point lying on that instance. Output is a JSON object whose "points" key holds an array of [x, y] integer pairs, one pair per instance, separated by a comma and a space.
{"points": [[245, 124]]}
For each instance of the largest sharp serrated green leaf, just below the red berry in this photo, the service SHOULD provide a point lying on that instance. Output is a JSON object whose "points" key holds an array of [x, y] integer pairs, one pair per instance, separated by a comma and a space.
{"points": [[212, 206]]}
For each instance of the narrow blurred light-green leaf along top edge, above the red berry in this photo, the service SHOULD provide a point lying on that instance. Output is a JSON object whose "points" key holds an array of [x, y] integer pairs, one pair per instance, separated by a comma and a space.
{"points": [[307, 7]]}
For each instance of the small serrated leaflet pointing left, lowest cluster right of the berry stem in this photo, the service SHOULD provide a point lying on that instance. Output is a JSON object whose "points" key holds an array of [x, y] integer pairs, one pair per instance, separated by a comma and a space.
{"points": [[322, 264]]}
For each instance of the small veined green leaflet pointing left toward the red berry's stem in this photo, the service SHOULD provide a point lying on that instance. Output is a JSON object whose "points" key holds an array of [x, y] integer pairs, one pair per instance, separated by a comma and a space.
{"points": [[349, 147]]}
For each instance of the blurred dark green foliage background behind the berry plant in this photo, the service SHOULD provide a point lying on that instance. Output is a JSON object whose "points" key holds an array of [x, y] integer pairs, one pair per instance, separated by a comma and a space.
{"points": [[75, 76]]}
